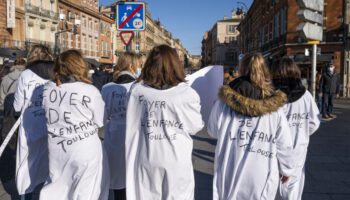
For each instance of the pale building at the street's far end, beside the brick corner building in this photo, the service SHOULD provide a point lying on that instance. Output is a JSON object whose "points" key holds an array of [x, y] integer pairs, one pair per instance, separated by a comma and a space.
{"points": [[219, 45]]}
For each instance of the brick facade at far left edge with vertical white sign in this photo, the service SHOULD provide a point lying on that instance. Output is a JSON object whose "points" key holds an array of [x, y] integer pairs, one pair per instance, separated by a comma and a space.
{"points": [[12, 36]]}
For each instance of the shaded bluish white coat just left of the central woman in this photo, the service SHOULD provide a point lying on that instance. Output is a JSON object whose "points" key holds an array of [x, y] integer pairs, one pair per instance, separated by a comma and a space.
{"points": [[115, 97]]}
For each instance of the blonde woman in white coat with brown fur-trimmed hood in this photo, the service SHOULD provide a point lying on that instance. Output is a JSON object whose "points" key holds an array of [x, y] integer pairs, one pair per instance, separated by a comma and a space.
{"points": [[253, 137]]}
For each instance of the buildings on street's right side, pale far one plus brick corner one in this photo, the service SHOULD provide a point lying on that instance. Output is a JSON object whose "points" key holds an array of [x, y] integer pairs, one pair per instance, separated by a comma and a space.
{"points": [[270, 27]]}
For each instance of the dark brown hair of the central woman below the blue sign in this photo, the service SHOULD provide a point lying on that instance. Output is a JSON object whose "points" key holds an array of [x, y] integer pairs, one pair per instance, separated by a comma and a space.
{"points": [[162, 68]]}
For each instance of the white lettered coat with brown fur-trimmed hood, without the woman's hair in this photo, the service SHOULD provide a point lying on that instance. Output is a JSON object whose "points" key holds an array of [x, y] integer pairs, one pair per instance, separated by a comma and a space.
{"points": [[251, 152]]}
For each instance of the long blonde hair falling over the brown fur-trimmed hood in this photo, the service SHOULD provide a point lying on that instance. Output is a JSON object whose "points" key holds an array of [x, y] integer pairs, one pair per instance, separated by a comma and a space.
{"points": [[254, 67]]}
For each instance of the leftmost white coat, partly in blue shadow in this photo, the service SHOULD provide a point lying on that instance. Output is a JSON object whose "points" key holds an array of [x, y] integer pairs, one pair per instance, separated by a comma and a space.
{"points": [[31, 155]]}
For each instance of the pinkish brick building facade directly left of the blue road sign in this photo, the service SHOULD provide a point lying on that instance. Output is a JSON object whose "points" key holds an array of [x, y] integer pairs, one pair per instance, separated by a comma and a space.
{"points": [[93, 37]]}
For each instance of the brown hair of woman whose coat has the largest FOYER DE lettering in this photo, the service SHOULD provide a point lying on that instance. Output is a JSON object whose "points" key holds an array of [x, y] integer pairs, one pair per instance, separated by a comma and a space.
{"points": [[71, 64]]}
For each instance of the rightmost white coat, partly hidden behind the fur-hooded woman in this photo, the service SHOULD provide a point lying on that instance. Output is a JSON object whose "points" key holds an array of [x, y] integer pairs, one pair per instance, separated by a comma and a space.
{"points": [[303, 119]]}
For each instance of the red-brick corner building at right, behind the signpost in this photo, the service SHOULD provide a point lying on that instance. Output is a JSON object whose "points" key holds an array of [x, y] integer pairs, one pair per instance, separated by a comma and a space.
{"points": [[270, 26]]}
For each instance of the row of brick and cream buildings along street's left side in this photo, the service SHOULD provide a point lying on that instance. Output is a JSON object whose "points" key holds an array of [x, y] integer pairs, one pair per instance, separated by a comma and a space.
{"points": [[38, 21]]}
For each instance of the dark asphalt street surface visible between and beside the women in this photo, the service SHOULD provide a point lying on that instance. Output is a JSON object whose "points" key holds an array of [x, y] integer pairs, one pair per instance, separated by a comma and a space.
{"points": [[327, 165]]}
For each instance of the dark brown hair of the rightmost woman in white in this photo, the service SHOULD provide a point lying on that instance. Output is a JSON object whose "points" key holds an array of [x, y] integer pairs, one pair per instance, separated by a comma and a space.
{"points": [[286, 68]]}
